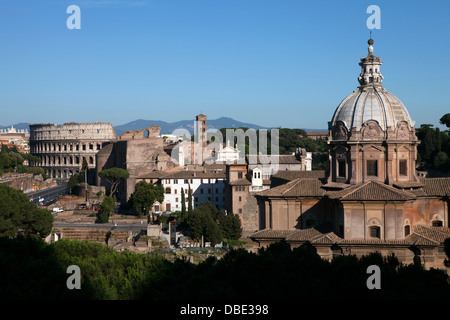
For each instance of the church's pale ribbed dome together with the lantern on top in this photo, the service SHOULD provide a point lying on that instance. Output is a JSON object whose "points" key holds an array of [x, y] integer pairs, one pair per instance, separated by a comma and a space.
{"points": [[370, 101]]}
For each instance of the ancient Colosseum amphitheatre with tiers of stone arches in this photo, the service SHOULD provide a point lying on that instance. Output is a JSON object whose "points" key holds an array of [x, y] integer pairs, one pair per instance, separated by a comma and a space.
{"points": [[63, 148]]}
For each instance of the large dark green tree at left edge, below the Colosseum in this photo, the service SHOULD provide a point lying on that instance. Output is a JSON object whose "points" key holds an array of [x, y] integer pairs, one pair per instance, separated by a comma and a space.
{"points": [[19, 215]]}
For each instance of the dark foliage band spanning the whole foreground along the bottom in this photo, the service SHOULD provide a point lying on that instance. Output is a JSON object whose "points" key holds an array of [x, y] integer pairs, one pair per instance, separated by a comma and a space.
{"points": [[275, 273]]}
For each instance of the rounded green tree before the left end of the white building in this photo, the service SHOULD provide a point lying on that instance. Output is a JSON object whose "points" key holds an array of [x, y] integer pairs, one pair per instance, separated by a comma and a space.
{"points": [[144, 196]]}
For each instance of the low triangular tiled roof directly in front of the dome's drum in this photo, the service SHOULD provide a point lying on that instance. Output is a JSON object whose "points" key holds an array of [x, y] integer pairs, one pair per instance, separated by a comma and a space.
{"points": [[371, 190]]}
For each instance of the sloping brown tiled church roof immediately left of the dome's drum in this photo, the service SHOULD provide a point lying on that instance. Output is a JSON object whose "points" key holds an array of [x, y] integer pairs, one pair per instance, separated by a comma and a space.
{"points": [[296, 188]]}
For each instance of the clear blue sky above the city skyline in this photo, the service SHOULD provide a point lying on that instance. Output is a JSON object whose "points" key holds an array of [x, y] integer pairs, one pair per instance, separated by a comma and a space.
{"points": [[281, 63]]}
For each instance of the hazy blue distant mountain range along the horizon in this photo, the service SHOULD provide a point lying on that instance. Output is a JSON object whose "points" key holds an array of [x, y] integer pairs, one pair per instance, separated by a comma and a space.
{"points": [[170, 127]]}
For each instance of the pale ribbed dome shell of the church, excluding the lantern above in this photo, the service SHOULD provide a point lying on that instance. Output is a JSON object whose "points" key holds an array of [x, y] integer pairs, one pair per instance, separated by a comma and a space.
{"points": [[371, 104]]}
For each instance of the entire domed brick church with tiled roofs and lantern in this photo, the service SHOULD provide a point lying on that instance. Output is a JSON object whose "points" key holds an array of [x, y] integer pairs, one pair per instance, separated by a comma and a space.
{"points": [[371, 198]]}
